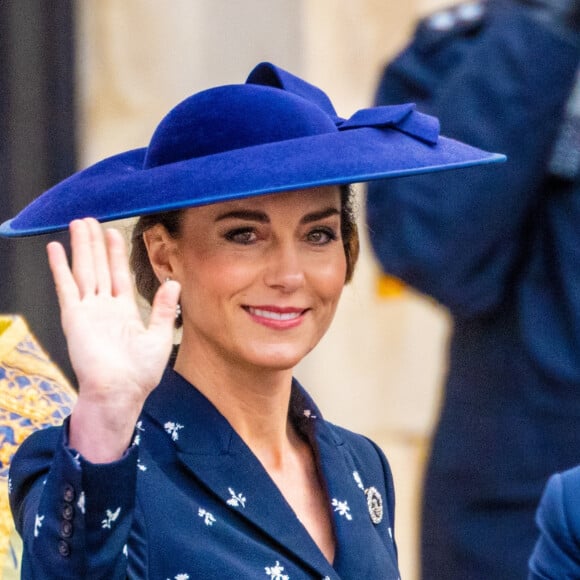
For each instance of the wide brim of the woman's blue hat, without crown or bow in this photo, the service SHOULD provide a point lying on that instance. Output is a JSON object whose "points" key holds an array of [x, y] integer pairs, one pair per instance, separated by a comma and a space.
{"points": [[119, 187]]}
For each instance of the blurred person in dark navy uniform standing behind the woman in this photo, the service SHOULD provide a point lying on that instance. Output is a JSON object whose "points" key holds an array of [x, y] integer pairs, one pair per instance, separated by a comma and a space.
{"points": [[500, 251]]}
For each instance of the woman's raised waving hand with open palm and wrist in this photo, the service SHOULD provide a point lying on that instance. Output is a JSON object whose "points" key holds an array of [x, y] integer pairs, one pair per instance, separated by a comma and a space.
{"points": [[117, 359]]}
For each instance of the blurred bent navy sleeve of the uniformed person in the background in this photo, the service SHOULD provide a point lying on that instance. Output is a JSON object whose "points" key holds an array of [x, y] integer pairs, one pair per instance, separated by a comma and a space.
{"points": [[457, 235]]}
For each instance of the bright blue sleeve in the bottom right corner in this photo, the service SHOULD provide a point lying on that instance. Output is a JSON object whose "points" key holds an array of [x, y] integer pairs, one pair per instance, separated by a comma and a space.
{"points": [[557, 551]]}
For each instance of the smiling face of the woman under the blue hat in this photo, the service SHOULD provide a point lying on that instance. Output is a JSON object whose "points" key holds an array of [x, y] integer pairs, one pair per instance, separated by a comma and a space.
{"points": [[261, 277]]}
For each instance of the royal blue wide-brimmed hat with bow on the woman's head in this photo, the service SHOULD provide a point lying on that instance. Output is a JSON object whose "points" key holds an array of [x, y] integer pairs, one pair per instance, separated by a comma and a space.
{"points": [[274, 133]]}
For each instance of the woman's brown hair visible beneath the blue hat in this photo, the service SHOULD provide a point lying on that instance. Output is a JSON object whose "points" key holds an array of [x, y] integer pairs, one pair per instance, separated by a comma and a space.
{"points": [[147, 282]]}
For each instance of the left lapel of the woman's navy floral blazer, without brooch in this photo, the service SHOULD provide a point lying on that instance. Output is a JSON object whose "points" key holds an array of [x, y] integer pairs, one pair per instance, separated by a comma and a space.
{"points": [[209, 447]]}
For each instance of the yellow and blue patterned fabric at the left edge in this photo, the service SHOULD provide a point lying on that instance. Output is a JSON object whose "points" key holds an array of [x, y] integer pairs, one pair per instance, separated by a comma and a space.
{"points": [[34, 394]]}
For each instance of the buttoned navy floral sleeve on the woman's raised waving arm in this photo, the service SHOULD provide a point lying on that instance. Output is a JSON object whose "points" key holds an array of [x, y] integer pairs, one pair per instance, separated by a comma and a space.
{"points": [[74, 517]]}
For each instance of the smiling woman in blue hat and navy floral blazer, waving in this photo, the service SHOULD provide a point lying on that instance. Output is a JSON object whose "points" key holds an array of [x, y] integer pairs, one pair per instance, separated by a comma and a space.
{"points": [[218, 463]]}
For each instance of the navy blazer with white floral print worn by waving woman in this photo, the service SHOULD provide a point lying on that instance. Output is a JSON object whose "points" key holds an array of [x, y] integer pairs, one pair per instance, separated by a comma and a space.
{"points": [[190, 500]]}
